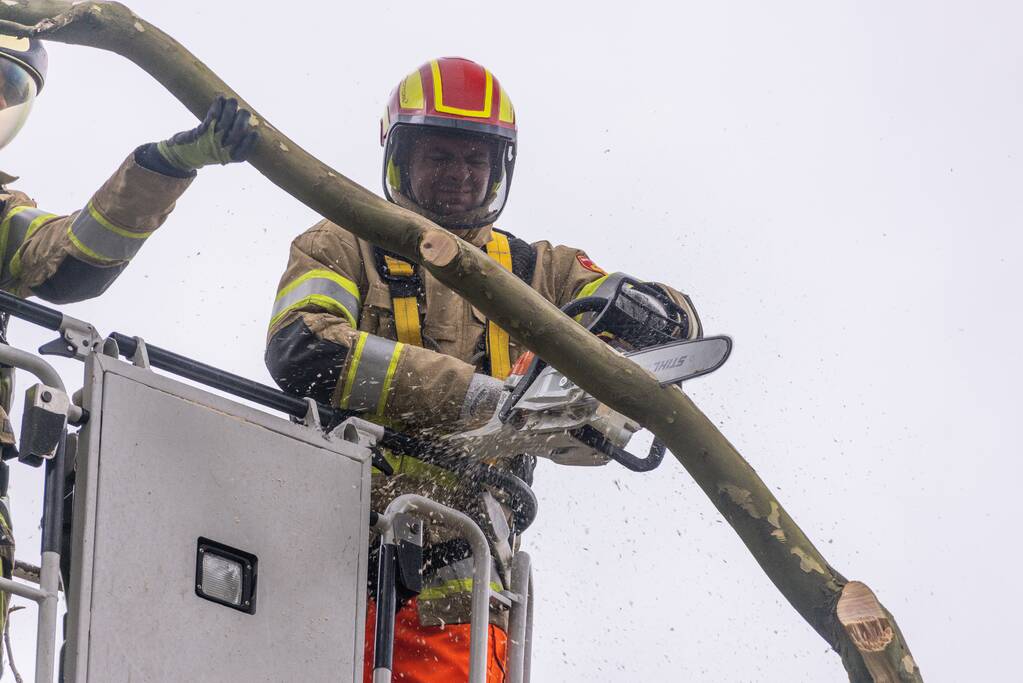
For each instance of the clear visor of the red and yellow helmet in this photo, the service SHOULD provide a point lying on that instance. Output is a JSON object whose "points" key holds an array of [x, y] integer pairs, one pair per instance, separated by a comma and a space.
{"points": [[459, 180]]}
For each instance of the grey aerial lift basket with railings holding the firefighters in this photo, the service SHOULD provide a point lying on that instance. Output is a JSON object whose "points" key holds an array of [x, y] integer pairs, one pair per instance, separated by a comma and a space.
{"points": [[210, 540]]}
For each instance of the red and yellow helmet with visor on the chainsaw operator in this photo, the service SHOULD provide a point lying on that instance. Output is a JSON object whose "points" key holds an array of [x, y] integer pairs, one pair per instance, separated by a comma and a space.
{"points": [[459, 102]]}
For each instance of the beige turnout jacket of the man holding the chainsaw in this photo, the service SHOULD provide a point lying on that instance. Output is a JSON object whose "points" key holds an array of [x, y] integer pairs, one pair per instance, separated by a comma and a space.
{"points": [[334, 336]]}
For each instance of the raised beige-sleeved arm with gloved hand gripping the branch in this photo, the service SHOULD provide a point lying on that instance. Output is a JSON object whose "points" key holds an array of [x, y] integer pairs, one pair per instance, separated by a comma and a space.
{"points": [[66, 259]]}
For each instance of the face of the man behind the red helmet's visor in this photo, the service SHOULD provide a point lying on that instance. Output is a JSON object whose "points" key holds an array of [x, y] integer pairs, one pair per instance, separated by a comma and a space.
{"points": [[450, 173]]}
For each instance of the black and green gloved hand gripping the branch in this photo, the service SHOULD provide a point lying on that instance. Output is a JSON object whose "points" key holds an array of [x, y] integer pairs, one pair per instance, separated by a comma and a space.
{"points": [[226, 136]]}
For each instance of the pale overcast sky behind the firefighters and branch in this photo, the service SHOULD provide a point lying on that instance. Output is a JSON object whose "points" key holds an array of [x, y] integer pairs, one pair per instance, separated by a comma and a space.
{"points": [[837, 186]]}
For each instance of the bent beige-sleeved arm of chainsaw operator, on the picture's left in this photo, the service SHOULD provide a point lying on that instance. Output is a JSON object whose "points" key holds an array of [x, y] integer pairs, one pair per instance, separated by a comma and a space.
{"points": [[316, 349]]}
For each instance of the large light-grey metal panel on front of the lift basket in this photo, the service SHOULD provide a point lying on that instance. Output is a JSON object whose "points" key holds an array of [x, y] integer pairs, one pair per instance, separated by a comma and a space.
{"points": [[174, 464]]}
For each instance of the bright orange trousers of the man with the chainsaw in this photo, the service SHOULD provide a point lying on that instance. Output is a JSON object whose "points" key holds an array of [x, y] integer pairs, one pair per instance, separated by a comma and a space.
{"points": [[433, 654]]}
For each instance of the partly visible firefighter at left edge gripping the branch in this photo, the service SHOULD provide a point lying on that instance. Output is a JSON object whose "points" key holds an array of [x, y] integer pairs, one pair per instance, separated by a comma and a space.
{"points": [[66, 259]]}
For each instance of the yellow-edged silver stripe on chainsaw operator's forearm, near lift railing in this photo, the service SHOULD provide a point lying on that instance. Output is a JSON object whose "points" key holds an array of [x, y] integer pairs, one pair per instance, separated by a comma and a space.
{"points": [[371, 373]]}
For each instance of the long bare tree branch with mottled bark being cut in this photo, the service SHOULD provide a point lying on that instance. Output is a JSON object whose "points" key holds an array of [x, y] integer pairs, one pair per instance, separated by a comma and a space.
{"points": [[859, 628]]}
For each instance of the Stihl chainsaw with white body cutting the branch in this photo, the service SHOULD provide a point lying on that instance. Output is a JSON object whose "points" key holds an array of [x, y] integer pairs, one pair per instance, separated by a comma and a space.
{"points": [[544, 414]]}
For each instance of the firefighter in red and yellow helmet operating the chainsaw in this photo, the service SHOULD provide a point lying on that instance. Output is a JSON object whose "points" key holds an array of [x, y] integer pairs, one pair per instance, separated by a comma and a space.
{"points": [[364, 330]]}
